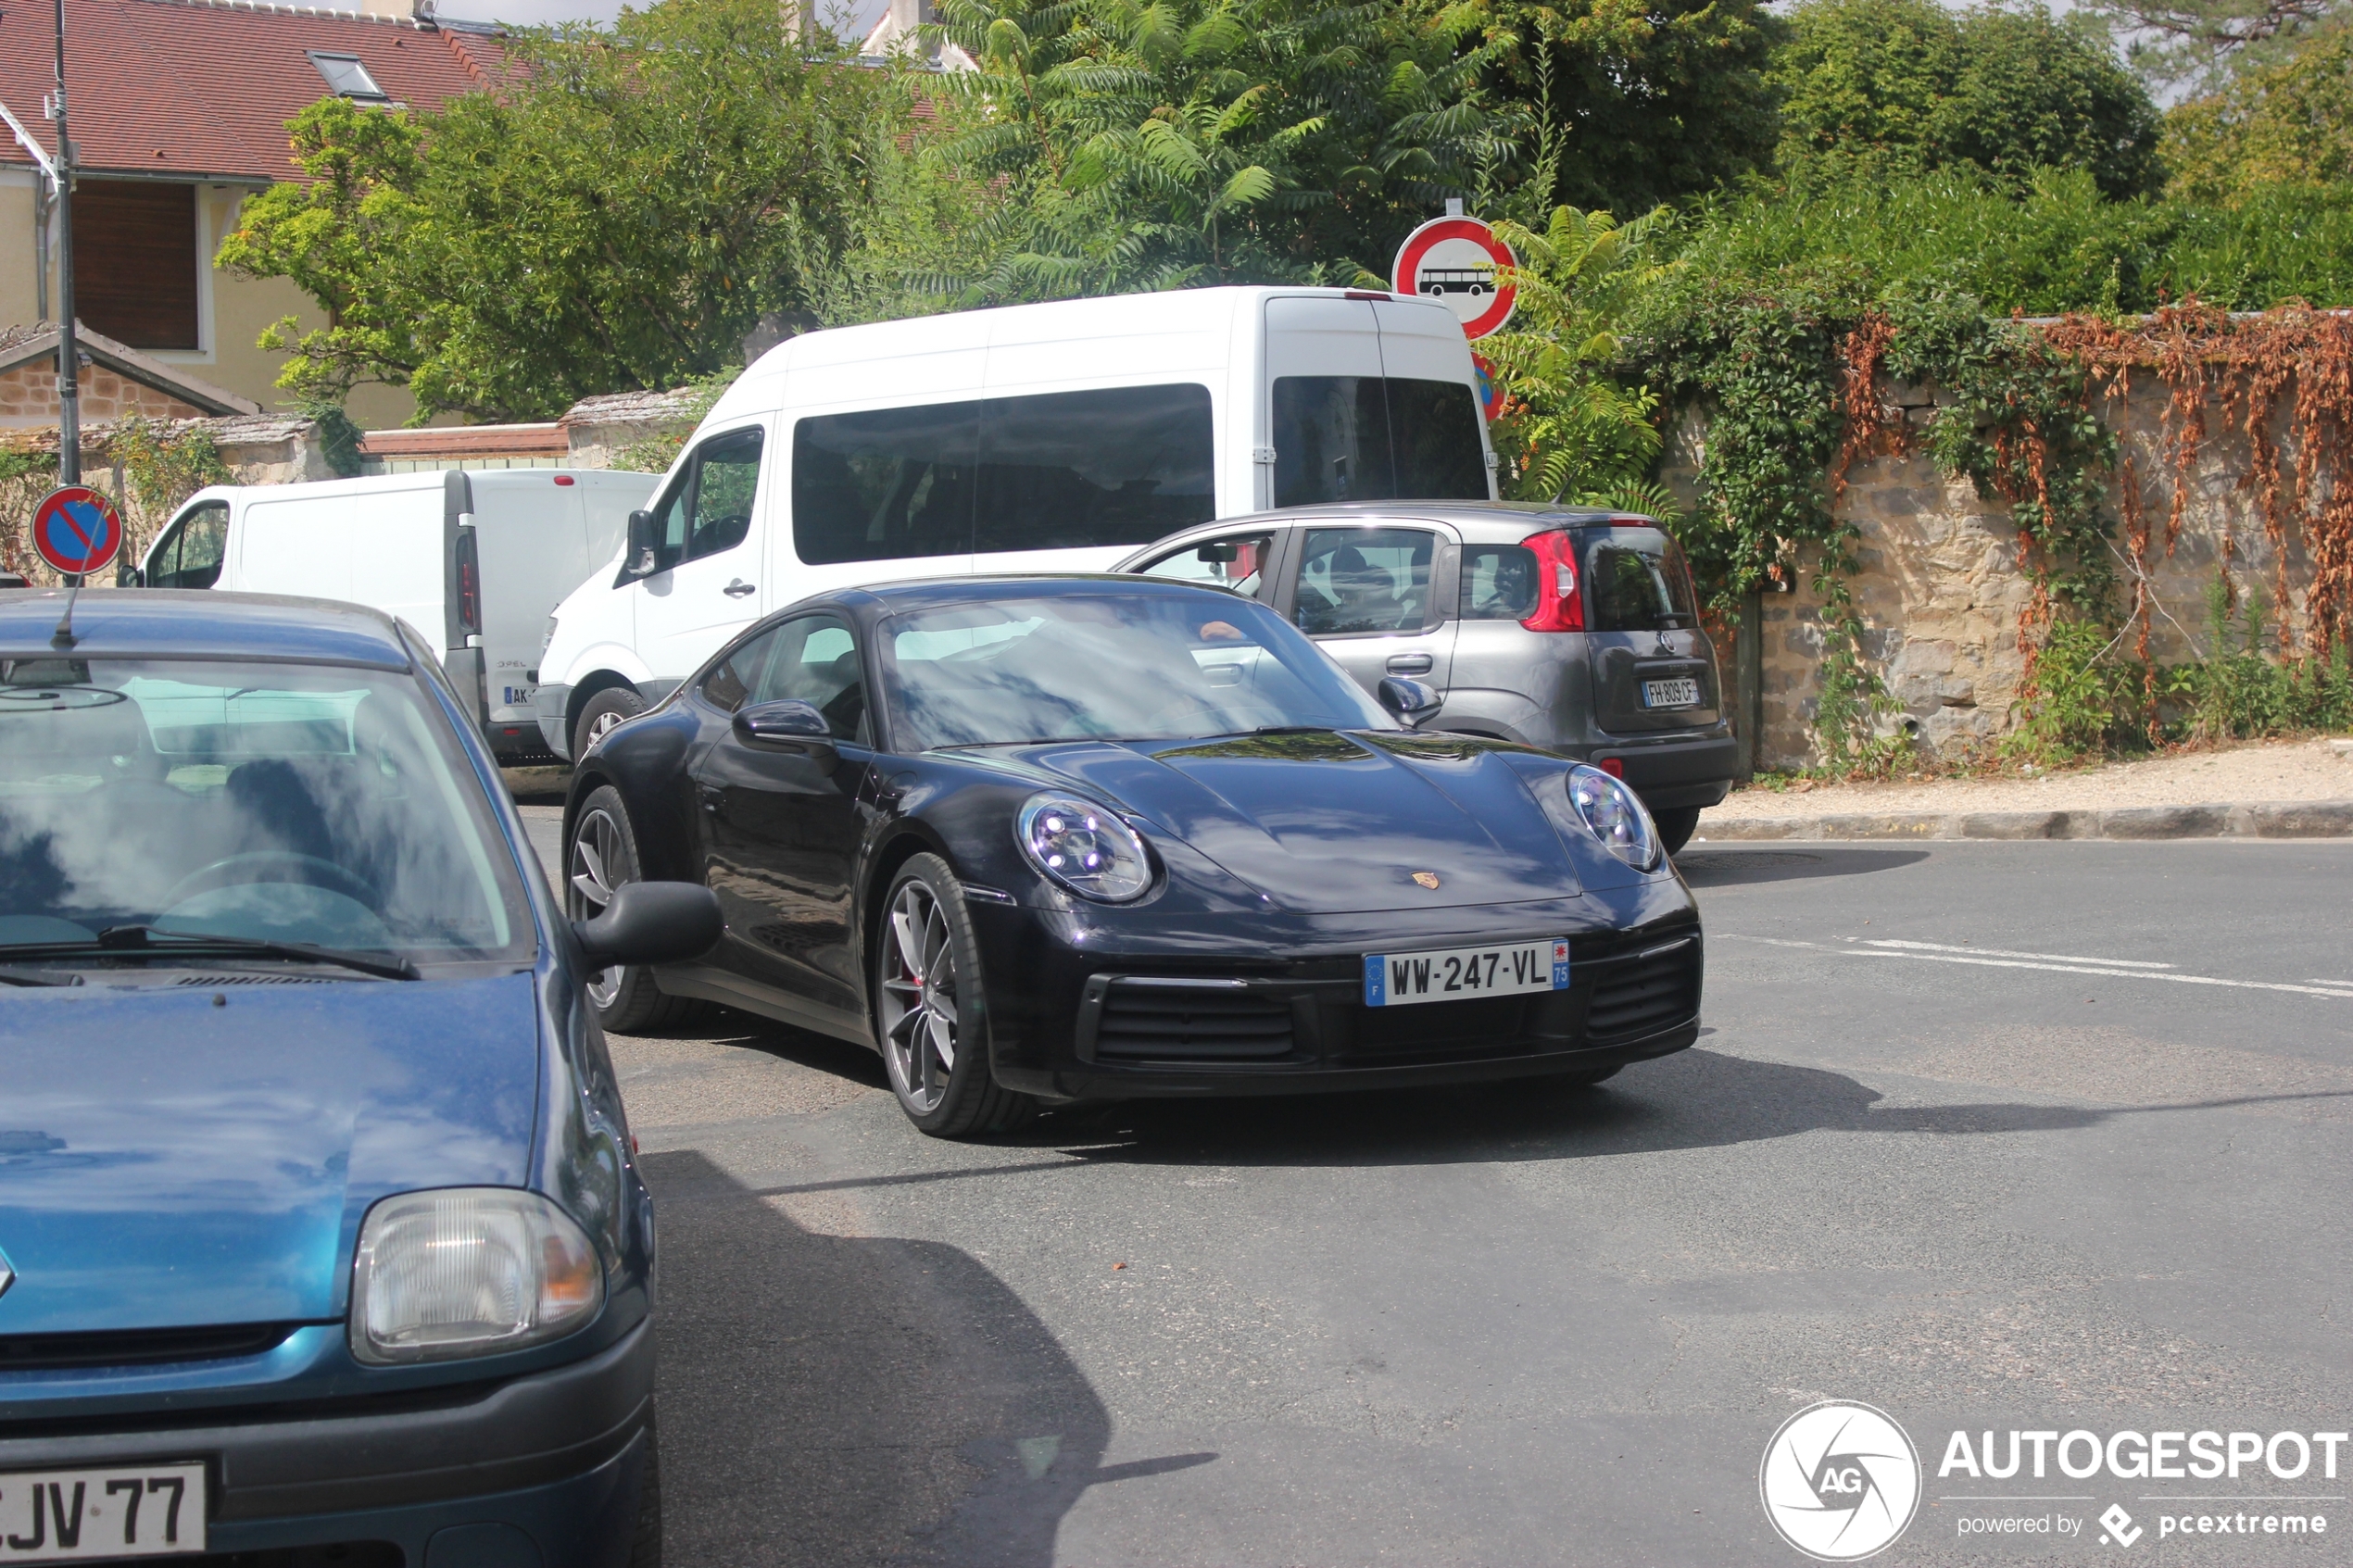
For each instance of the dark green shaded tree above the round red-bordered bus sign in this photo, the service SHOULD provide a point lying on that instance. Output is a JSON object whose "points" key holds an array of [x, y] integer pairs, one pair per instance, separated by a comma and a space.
{"points": [[1658, 100]]}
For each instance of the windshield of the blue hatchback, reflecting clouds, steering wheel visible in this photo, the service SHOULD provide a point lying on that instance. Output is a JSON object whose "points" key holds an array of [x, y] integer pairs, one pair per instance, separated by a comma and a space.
{"points": [[269, 803]]}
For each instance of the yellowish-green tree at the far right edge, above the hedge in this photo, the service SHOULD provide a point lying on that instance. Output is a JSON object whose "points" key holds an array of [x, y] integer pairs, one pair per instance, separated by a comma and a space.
{"points": [[2286, 123]]}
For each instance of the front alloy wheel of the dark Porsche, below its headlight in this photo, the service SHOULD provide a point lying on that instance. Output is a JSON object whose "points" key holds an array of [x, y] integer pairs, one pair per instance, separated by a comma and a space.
{"points": [[931, 1010]]}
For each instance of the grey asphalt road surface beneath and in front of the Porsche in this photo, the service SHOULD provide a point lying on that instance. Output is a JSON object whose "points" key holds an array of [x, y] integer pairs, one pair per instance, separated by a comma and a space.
{"points": [[1992, 1137]]}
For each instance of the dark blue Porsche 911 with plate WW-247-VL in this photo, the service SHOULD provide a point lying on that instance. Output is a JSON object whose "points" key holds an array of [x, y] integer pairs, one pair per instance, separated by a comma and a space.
{"points": [[1048, 840]]}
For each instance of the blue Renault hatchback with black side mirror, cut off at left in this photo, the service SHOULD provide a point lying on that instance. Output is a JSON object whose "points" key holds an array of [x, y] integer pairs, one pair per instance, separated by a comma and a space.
{"points": [[321, 1233]]}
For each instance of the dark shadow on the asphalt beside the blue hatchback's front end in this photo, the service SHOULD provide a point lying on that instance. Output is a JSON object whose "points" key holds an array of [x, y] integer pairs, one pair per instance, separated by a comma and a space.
{"points": [[851, 1400]]}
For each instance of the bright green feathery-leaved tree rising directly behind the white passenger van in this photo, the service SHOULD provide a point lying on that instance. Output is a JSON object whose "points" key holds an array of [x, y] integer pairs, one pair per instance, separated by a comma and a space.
{"points": [[1194, 142]]}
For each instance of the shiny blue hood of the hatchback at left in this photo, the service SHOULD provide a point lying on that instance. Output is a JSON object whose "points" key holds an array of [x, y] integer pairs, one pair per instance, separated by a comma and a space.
{"points": [[171, 1162]]}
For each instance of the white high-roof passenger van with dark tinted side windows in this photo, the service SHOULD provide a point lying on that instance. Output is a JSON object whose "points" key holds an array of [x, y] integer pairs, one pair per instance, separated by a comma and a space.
{"points": [[1034, 438]]}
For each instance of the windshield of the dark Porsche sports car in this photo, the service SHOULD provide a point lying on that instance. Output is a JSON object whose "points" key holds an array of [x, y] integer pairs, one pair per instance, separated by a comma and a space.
{"points": [[1126, 666]]}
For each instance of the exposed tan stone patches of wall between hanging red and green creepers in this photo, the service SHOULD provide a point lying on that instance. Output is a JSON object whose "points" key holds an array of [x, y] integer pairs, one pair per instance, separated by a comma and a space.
{"points": [[1942, 591]]}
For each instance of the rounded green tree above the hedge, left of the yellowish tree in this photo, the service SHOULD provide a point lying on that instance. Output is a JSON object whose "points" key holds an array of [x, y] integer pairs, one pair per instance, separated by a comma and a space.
{"points": [[1914, 86]]}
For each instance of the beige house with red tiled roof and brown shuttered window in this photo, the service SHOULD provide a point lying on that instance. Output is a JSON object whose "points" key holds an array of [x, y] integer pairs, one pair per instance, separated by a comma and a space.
{"points": [[178, 114]]}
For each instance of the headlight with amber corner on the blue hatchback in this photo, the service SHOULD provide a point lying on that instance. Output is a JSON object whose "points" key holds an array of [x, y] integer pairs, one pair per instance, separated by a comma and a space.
{"points": [[469, 1273]]}
